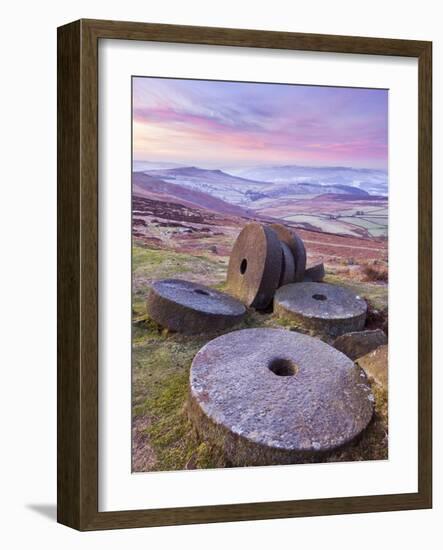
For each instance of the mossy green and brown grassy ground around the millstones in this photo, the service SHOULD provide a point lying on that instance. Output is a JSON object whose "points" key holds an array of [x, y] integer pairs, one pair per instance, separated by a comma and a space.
{"points": [[163, 438]]}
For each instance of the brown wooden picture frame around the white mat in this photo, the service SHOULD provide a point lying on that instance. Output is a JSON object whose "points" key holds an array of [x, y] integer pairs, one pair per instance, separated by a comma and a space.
{"points": [[78, 274]]}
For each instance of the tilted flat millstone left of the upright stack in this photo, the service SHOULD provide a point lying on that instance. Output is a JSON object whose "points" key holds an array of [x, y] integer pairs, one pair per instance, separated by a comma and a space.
{"points": [[182, 306]]}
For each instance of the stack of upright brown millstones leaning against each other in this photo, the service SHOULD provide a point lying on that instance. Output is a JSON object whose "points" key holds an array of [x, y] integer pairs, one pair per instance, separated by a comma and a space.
{"points": [[263, 259]]}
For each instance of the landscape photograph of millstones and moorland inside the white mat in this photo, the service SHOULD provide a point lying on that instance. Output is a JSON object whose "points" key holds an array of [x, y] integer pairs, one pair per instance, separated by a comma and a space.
{"points": [[259, 274]]}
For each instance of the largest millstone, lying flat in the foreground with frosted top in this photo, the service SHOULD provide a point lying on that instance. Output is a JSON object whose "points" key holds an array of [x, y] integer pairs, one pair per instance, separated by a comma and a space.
{"points": [[271, 396]]}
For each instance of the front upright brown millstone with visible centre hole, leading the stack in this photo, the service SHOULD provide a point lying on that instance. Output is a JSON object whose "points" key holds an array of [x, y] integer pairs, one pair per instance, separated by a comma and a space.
{"points": [[255, 266]]}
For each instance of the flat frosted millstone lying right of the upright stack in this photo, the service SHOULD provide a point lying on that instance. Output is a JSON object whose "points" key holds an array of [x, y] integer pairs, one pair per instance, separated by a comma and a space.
{"points": [[321, 308]]}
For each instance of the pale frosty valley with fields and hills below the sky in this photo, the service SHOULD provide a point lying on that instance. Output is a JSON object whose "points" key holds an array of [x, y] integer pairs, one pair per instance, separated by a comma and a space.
{"points": [[337, 201]]}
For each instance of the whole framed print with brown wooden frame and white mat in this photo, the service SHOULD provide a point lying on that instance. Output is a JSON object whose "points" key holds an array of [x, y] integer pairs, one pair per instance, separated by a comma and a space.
{"points": [[244, 261]]}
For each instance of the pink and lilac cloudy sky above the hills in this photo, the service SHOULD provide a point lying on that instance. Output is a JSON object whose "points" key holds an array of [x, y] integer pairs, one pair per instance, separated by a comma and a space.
{"points": [[215, 124]]}
